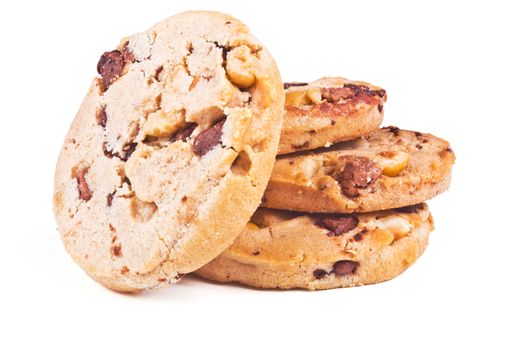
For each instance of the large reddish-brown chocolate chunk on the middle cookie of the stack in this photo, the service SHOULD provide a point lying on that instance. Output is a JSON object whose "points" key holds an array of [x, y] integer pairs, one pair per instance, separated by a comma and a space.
{"points": [[358, 172]]}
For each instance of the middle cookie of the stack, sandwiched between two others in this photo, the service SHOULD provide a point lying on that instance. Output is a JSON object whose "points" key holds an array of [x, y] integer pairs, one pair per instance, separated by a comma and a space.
{"points": [[387, 169]]}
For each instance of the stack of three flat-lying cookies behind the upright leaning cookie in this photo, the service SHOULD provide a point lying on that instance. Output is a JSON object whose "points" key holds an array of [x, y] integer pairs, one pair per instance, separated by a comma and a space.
{"points": [[339, 213]]}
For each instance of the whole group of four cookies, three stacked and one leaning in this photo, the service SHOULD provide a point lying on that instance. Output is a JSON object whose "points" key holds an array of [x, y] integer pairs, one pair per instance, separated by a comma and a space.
{"points": [[175, 147]]}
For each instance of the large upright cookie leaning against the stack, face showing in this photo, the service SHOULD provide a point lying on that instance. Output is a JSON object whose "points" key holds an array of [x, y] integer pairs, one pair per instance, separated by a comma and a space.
{"points": [[170, 152]]}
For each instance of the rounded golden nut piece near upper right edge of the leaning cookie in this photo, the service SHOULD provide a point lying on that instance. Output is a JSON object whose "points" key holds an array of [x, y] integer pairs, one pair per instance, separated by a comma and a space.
{"points": [[239, 67]]}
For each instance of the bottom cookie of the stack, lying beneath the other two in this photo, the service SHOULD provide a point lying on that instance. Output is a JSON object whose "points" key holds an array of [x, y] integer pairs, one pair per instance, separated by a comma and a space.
{"points": [[280, 249]]}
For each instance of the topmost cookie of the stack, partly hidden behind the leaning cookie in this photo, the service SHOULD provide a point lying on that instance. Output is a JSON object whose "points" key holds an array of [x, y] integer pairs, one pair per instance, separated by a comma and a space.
{"points": [[327, 111]]}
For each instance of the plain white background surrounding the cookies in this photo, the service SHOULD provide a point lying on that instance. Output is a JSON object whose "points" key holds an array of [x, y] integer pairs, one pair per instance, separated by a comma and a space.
{"points": [[451, 68]]}
